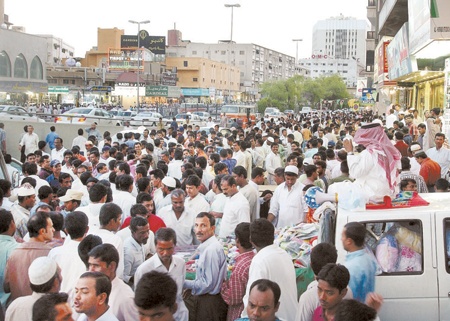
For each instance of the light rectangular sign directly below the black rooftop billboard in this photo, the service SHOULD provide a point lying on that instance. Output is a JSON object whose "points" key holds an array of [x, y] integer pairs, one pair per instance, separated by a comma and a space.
{"points": [[125, 59]]}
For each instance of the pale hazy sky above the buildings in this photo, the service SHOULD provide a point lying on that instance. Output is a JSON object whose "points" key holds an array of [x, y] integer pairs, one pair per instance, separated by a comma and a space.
{"points": [[271, 24]]}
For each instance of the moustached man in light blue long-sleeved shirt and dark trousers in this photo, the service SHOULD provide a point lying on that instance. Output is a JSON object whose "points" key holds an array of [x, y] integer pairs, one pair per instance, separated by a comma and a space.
{"points": [[202, 297]]}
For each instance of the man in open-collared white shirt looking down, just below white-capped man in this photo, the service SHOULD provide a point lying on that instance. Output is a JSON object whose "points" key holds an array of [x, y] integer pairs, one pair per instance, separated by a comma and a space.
{"points": [[179, 218]]}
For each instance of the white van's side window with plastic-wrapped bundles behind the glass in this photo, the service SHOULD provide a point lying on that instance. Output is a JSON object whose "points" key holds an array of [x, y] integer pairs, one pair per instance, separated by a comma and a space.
{"points": [[396, 245]]}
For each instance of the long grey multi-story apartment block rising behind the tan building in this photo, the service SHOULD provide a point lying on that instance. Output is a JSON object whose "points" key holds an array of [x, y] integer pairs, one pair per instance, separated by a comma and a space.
{"points": [[256, 64]]}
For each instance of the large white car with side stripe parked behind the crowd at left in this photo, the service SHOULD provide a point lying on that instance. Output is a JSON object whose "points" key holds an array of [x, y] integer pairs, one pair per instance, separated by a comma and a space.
{"points": [[83, 115]]}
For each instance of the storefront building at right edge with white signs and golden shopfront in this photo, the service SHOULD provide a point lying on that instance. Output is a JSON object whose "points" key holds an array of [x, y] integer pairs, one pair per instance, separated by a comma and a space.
{"points": [[414, 41]]}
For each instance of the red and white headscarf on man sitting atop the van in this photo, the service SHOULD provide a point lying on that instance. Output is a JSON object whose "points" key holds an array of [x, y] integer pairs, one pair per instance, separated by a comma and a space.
{"points": [[374, 139]]}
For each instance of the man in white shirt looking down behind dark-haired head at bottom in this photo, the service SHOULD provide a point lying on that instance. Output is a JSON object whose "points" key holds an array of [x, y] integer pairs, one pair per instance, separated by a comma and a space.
{"points": [[166, 262]]}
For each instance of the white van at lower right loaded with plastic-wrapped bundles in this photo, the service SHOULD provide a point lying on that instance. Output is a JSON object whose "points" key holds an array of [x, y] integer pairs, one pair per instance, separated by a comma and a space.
{"points": [[415, 283]]}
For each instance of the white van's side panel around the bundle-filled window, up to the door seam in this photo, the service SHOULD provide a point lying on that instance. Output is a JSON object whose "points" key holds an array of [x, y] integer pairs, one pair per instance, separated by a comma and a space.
{"points": [[409, 283]]}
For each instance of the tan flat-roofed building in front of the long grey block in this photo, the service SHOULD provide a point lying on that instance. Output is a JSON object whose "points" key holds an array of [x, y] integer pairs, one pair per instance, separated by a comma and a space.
{"points": [[218, 78]]}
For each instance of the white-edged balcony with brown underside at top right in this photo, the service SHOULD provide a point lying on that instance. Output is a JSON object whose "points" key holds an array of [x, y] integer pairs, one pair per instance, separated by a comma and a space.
{"points": [[392, 16]]}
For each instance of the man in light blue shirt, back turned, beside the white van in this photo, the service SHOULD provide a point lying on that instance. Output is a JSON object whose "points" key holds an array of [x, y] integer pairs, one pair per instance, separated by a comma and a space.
{"points": [[360, 264]]}
